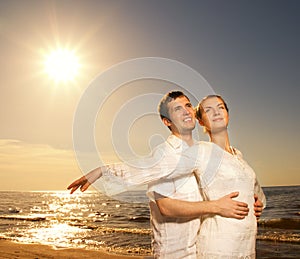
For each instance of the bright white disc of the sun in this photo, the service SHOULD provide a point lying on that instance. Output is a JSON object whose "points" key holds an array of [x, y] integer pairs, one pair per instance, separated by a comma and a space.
{"points": [[62, 65]]}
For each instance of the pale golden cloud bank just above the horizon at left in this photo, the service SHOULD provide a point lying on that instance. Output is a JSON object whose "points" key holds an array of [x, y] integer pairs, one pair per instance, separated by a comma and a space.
{"points": [[25, 166]]}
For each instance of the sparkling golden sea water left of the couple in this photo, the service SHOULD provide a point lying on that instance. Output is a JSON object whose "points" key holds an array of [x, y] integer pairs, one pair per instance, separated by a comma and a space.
{"points": [[86, 220]]}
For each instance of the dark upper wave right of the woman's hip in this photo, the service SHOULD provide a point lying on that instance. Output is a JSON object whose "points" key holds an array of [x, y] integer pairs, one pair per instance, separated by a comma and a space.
{"points": [[282, 223]]}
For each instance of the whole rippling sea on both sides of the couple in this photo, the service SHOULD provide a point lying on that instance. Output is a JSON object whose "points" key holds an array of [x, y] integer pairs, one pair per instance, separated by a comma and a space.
{"points": [[93, 221]]}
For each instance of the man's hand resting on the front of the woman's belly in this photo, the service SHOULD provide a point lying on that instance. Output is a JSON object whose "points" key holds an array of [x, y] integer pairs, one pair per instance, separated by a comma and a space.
{"points": [[229, 208]]}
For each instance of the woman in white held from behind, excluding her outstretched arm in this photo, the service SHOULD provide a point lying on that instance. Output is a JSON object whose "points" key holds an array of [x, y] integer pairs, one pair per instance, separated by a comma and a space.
{"points": [[224, 237]]}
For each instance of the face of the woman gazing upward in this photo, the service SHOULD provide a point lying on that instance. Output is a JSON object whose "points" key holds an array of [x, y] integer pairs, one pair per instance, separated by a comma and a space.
{"points": [[214, 115]]}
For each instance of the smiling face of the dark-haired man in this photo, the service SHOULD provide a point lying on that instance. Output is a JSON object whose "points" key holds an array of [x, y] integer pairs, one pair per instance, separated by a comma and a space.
{"points": [[182, 116]]}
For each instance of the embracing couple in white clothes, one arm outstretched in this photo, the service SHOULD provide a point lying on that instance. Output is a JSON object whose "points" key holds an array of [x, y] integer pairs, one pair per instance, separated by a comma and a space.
{"points": [[204, 197]]}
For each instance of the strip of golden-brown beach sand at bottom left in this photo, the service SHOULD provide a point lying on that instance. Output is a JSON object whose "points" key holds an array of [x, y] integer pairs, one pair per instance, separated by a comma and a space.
{"points": [[32, 251]]}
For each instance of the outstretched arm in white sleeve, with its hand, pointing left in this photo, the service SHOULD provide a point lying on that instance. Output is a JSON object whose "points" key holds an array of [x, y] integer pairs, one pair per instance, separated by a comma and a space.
{"points": [[163, 164]]}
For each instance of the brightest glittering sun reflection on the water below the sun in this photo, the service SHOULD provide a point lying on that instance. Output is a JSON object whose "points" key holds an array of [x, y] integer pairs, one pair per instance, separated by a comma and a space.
{"points": [[64, 216]]}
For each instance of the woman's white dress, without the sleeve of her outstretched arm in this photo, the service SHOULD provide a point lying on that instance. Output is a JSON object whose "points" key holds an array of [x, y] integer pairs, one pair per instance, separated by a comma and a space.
{"points": [[221, 173]]}
